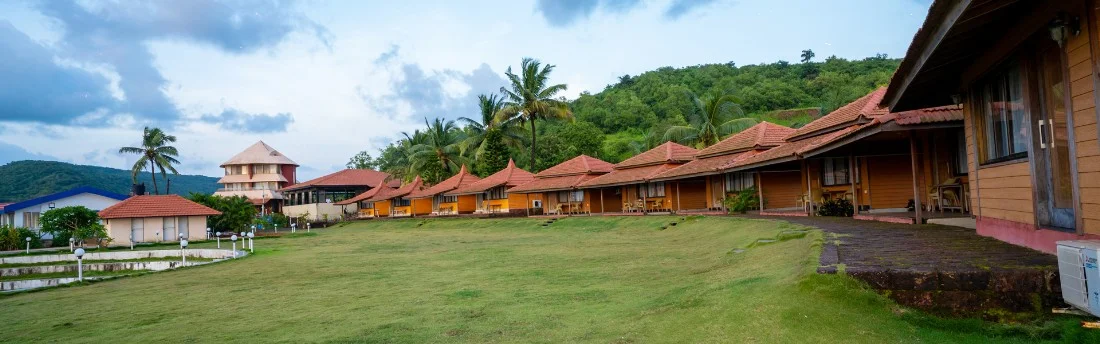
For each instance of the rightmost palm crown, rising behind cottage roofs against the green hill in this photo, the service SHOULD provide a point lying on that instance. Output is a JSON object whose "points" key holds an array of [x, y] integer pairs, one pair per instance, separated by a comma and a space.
{"points": [[712, 118]]}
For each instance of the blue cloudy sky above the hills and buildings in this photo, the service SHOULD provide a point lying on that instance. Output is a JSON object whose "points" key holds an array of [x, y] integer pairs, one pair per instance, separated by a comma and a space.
{"points": [[322, 81]]}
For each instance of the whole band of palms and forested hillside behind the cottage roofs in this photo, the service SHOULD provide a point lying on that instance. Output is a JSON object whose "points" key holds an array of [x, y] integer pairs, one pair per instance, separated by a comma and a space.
{"points": [[697, 106]]}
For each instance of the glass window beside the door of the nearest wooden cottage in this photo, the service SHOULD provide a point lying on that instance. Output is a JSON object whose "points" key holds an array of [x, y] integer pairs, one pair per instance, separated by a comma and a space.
{"points": [[1003, 118]]}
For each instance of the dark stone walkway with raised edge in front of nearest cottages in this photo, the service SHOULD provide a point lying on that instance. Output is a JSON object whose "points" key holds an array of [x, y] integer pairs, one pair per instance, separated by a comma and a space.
{"points": [[939, 269]]}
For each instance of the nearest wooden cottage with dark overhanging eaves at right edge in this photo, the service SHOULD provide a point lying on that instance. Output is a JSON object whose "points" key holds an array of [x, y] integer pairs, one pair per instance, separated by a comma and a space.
{"points": [[1025, 74]]}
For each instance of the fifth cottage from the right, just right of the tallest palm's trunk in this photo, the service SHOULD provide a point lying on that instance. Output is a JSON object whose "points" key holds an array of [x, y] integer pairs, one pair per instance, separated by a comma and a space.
{"points": [[558, 186]]}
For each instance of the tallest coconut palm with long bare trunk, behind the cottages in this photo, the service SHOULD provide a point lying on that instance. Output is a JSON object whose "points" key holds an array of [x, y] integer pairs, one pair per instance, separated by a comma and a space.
{"points": [[532, 98]]}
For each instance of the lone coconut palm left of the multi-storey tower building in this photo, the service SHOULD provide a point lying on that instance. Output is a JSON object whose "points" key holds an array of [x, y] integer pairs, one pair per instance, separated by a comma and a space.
{"points": [[155, 153]]}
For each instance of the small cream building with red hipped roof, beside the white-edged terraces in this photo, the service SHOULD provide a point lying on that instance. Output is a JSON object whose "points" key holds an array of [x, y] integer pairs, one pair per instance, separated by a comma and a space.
{"points": [[153, 219]]}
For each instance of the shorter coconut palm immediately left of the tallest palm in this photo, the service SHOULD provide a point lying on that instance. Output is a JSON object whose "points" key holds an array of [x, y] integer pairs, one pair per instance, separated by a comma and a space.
{"points": [[477, 131]]}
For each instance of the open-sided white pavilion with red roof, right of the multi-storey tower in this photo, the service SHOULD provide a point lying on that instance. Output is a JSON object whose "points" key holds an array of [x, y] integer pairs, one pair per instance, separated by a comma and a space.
{"points": [[318, 197]]}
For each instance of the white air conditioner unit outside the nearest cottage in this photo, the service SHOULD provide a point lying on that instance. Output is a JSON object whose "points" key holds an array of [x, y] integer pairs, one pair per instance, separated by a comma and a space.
{"points": [[1080, 274]]}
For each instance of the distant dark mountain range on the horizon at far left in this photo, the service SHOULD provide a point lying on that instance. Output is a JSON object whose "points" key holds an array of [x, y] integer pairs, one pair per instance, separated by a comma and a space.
{"points": [[26, 180]]}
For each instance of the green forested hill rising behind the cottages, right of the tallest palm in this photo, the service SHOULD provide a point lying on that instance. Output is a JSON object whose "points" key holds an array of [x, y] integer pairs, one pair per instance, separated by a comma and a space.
{"points": [[634, 114]]}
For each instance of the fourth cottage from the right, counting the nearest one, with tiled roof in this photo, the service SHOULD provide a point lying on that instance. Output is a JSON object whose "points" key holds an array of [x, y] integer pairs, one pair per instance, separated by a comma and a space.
{"points": [[629, 188]]}
